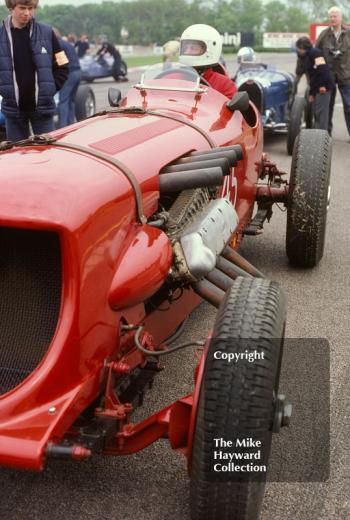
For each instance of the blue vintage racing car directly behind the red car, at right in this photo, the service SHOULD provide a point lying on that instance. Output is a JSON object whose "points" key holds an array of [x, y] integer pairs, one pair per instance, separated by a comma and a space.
{"points": [[273, 93]]}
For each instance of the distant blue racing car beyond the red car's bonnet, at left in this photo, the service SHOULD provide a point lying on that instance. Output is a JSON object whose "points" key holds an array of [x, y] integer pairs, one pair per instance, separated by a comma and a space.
{"points": [[94, 67]]}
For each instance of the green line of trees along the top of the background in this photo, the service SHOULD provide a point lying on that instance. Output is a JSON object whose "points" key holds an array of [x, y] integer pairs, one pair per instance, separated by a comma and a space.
{"points": [[150, 21]]}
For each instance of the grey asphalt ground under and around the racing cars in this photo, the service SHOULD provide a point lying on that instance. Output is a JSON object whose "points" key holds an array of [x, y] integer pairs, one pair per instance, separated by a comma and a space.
{"points": [[153, 484]]}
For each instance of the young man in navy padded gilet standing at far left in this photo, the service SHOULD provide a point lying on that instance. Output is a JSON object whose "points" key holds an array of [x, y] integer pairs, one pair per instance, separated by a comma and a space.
{"points": [[32, 68]]}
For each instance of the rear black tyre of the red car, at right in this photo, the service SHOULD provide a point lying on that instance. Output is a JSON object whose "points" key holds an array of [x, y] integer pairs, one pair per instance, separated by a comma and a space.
{"points": [[308, 198]]}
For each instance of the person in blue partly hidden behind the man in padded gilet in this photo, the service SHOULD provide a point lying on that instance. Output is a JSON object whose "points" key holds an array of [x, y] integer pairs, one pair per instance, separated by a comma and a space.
{"points": [[66, 103]]}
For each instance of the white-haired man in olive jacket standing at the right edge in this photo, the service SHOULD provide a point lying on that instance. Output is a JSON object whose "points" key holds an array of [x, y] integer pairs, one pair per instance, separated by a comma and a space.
{"points": [[335, 44]]}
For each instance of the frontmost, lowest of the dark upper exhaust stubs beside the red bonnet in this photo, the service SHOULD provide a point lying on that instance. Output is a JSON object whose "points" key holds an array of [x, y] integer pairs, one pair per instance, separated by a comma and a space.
{"points": [[185, 180]]}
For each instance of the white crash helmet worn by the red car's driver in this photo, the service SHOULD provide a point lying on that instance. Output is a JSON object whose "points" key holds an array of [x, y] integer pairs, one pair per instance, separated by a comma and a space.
{"points": [[200, 46]]}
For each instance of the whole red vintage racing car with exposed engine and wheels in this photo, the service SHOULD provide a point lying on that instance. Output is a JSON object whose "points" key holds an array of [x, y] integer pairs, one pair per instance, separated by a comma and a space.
{"points": [[112, 231]]}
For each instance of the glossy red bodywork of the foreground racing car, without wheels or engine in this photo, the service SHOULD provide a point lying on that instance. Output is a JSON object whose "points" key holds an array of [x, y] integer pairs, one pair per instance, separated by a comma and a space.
{"points": [[110, 264]]}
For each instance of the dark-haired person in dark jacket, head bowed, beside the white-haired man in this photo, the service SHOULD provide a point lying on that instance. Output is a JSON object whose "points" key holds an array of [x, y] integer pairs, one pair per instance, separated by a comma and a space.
{"points": [[321, 82]]}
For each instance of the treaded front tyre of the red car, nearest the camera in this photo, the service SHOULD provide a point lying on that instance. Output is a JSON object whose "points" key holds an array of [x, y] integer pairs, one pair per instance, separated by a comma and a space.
{"points": [[252, 309]]}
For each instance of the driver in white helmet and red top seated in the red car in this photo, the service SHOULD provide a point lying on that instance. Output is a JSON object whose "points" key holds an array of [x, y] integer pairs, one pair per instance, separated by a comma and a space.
{"points": [[200, 47]]}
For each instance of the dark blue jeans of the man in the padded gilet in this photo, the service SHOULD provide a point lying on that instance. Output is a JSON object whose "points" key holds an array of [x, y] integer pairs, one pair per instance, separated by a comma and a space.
{"points": [[17, 128]]}
